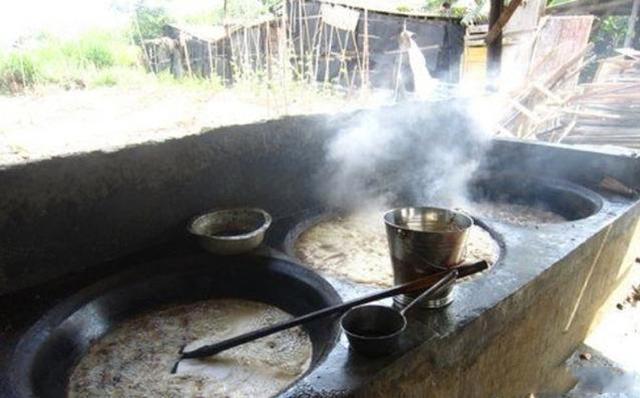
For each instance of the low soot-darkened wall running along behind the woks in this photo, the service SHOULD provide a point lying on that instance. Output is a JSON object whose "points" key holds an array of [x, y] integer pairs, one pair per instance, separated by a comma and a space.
{"points": [[71, 213]]}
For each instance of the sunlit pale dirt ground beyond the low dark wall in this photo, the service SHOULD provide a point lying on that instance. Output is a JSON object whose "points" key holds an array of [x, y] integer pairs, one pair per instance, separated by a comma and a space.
{"points": [[56, 122]]}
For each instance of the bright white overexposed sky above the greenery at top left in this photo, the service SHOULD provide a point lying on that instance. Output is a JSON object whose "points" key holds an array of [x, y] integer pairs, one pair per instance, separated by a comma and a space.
{"points": [[70, 17]]}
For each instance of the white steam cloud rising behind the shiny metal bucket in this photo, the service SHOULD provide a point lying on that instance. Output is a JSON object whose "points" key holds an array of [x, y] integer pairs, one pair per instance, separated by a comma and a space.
{"points": [[437, 145]]}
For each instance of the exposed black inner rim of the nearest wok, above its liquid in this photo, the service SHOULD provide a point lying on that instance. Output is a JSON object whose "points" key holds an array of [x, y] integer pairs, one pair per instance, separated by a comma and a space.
{"points": [[46, 354]]}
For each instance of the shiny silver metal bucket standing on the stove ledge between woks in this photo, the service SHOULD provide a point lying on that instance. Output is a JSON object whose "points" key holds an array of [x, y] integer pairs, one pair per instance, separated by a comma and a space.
{"points": [[423, 241]]}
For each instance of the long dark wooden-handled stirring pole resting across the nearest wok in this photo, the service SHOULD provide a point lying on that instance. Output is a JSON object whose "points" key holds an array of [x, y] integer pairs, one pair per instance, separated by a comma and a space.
{"points": [[417, 285]]}
